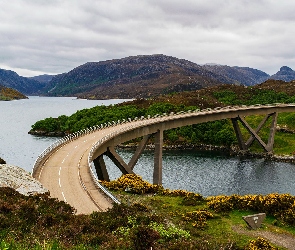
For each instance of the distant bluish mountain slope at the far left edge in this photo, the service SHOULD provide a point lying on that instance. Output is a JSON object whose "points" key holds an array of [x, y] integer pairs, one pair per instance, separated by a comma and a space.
{"points": [[24, 85]]}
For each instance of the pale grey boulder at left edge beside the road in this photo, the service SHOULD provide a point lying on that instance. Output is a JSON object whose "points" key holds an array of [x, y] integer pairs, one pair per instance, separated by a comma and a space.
{"points": [[20, 180]]}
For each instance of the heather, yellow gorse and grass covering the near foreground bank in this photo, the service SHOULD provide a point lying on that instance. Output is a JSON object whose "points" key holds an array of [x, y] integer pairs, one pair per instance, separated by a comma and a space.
{"points": [[149, 216]]}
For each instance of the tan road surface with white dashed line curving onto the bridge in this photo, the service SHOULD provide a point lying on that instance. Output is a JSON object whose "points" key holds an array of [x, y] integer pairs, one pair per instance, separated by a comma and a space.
{"points": [[67, 176]]}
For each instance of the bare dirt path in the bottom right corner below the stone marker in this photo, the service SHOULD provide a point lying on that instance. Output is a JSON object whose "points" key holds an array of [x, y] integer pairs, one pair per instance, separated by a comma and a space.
{"points": [[279, 239]]}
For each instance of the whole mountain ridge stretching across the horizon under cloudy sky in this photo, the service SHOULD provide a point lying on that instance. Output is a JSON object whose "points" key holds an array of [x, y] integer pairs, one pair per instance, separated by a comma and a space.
{"points": [[139, 76]]}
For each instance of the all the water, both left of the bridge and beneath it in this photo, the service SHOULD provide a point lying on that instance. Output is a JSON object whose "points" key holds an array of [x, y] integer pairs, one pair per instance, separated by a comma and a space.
{"points": [[202, 172]]}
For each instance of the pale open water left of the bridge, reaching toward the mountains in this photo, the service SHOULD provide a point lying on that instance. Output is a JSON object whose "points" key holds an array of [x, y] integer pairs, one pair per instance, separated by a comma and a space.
{"points": [[19, 148]]}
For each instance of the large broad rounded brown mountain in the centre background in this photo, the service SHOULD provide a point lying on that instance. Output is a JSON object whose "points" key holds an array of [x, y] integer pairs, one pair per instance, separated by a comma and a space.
{"points": [[133, 77]]}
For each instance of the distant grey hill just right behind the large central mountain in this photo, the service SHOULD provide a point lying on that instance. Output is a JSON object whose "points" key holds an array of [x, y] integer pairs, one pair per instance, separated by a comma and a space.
{"points": [[239, 75]]}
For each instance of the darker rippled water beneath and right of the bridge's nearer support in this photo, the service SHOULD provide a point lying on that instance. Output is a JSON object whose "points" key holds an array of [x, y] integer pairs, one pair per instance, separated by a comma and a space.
{"points": [[210, 173]]}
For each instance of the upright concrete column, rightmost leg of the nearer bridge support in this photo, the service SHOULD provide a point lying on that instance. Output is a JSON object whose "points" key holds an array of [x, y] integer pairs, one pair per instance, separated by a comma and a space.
{"points": [[157, 175]]}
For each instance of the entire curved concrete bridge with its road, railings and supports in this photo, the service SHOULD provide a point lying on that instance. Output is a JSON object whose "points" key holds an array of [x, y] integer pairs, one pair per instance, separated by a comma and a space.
{"points": [[65, 167]]}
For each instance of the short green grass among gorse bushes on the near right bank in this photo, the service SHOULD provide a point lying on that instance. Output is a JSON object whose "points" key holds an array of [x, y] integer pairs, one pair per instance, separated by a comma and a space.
{"points": [[218, 230]]}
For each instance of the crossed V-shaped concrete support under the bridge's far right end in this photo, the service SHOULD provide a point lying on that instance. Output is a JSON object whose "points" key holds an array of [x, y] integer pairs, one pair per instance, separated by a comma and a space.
{"points": [[254, 133]]}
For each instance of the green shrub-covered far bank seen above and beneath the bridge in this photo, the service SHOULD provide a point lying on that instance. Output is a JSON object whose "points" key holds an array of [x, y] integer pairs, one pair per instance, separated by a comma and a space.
{"points": [[216, 133]]}
